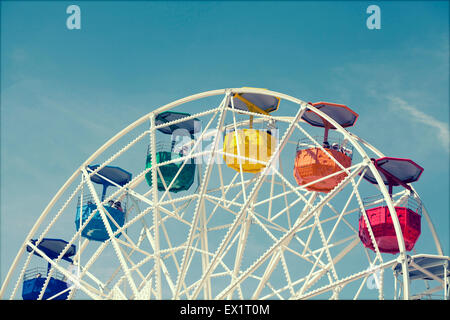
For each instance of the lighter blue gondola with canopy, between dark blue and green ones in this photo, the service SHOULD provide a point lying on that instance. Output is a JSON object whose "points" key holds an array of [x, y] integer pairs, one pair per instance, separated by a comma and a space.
{"points": [[95, 229]]}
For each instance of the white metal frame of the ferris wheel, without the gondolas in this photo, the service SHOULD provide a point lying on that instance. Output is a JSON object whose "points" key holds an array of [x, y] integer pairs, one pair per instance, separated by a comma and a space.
{"points": [[165, 258]]}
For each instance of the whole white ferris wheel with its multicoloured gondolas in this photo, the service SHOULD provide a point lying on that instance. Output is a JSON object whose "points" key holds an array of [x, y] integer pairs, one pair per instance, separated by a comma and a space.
{"points": [[240, 193]]}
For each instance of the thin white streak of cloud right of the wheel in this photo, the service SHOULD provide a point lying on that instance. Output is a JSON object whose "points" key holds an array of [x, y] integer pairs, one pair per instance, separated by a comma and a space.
{"points": [[441, 128]]}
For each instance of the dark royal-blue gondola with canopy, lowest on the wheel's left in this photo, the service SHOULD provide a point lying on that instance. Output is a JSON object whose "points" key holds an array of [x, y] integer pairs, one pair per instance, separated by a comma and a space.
{"points": [[34, 279]]}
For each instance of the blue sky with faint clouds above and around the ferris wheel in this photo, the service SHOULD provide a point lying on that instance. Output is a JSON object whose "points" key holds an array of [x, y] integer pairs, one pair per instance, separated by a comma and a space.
{"points": [[65, 92]]}
